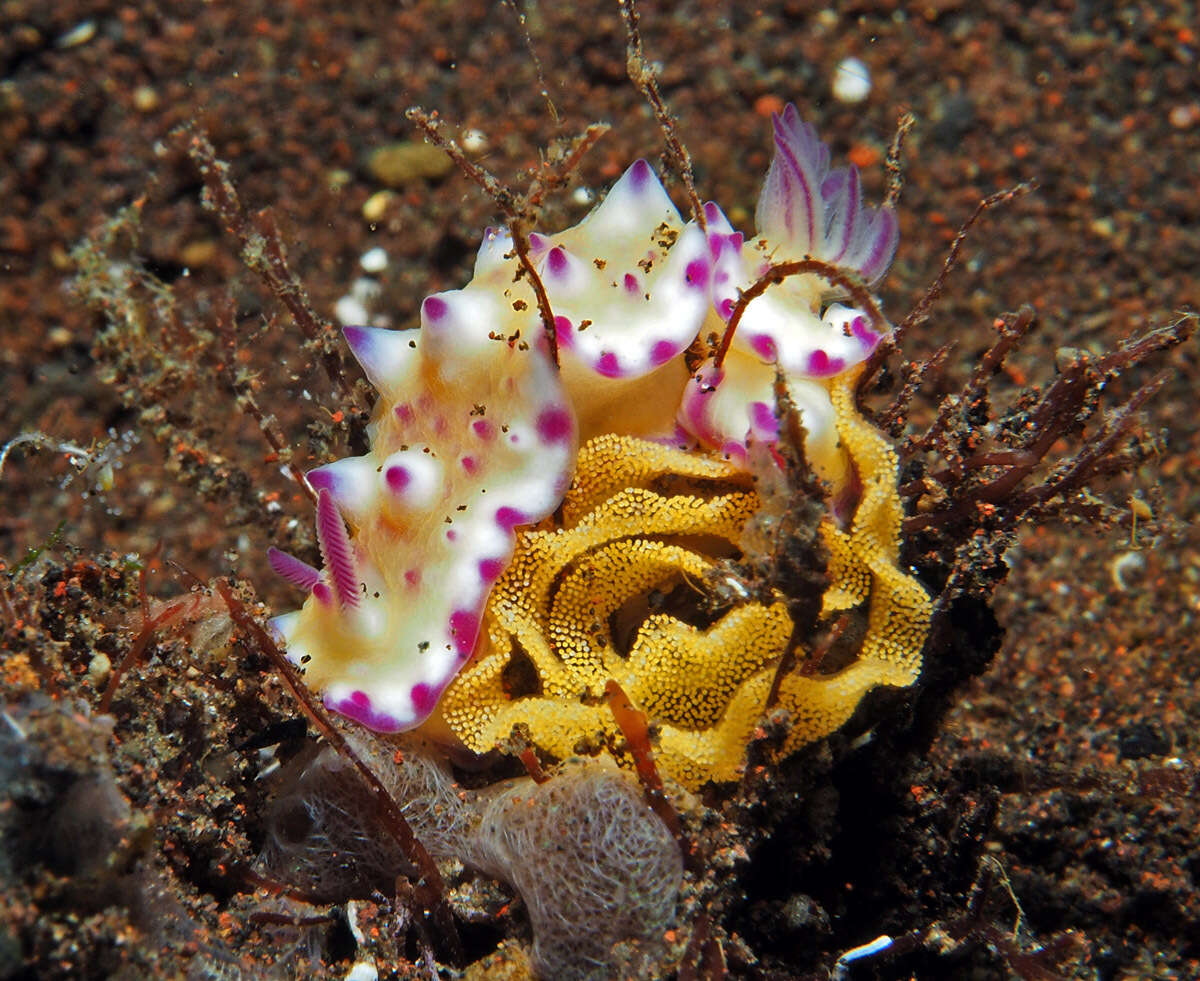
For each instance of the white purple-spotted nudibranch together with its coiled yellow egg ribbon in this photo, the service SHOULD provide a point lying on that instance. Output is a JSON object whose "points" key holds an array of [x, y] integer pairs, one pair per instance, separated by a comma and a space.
{"points": [[521, 531]]}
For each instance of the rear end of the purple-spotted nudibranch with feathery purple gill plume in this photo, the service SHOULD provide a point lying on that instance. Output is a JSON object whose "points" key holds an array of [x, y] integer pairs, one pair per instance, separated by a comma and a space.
{"points": [[806, 210]]}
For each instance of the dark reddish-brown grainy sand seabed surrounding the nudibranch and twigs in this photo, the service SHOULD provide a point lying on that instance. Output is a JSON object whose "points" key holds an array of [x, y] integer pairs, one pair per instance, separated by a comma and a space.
{"points": [[1083, 732]]}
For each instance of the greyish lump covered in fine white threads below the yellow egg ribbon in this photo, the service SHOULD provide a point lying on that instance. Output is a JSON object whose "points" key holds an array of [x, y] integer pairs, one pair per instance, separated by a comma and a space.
{"points": [[593, 864]]}
